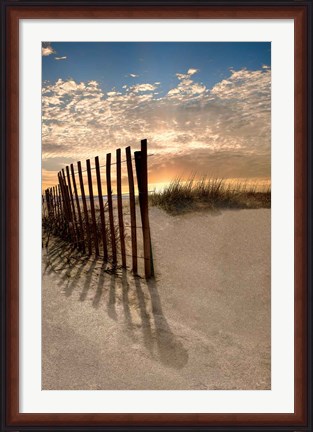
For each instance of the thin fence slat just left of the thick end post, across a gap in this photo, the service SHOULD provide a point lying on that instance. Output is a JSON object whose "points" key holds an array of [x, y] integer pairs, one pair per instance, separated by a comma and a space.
{"points": [[132, 207]]}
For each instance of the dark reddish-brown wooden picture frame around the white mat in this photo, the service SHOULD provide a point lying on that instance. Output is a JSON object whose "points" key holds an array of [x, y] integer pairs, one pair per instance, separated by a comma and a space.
{"points": [[11, 13]]}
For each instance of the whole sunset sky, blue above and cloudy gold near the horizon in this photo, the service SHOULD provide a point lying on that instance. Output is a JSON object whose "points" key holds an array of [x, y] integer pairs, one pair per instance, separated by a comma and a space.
{"points": [[204, 107]]}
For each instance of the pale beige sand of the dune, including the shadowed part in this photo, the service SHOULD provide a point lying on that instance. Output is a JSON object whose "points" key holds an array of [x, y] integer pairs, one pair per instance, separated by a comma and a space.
{"points": [[204, 323]]}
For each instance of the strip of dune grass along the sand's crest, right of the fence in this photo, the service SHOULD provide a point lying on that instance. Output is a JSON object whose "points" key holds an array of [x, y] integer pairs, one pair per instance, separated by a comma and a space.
{"points": [[209, 193]]}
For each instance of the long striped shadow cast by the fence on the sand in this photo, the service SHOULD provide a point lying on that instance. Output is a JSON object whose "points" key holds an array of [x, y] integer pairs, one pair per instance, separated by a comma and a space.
{"points": [[123, 297]]}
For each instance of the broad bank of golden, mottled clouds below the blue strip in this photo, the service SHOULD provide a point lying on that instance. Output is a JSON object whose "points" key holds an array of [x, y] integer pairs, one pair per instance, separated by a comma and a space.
{"points": [[224, 129]]}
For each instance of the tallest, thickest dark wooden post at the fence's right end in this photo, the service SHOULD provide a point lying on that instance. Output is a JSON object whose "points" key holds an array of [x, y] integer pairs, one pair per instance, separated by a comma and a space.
{"points": [[141, 160]]}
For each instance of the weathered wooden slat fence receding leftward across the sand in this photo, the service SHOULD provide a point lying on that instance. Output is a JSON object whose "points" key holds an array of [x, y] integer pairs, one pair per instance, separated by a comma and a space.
{"points": [[96, 223]]}
